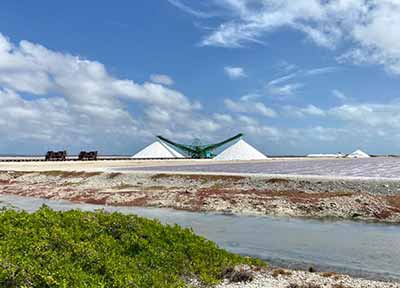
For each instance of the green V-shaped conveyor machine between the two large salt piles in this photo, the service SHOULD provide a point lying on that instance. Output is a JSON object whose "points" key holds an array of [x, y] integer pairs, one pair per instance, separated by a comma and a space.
{"points": [[198, 151]]}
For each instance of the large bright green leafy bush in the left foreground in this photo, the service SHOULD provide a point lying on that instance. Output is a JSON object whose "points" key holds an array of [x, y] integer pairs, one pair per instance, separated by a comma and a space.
{"points": [[99, 249]]}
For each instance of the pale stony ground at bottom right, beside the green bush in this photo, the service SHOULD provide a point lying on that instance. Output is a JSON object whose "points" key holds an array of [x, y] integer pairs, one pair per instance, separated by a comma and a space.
{"points": [[245, 277]]}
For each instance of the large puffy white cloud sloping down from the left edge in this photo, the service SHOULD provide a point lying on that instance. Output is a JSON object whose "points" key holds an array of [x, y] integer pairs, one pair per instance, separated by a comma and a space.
{"points": [[75, 101]]}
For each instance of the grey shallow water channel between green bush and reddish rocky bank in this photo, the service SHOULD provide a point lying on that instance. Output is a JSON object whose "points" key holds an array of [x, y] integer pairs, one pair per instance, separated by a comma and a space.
{"points": [[360, 249]]}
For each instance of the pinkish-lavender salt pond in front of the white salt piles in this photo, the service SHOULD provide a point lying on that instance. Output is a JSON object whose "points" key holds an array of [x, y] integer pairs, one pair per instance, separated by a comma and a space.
{"points": [[370, 167]]}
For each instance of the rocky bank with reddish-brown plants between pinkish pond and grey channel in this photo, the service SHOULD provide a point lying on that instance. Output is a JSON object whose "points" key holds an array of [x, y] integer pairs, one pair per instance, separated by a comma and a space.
{"points": [[377, 200]]}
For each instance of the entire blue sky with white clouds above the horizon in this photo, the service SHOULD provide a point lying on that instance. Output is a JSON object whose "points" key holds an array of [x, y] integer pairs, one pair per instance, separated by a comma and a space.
{"points": [[296, 77]]}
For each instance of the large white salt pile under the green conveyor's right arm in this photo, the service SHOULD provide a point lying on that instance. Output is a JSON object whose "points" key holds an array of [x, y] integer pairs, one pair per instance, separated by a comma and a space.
{"points": [[241, 150]]}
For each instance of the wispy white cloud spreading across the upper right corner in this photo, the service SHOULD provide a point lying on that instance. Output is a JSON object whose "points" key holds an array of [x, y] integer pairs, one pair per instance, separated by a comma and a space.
{"points": [[369, 27]]}
